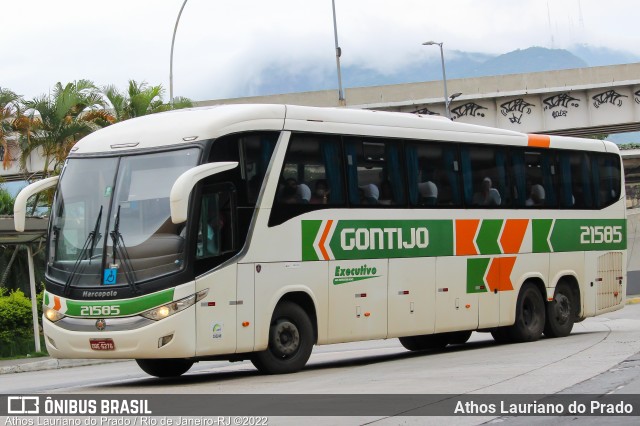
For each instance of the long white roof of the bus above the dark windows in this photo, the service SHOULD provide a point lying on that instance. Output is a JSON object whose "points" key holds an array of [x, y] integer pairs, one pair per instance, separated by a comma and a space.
{"points": [[197, 124]]}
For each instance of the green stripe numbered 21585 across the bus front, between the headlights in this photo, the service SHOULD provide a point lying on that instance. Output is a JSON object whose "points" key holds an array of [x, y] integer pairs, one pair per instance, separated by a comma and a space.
{"points": [[125, 307]]}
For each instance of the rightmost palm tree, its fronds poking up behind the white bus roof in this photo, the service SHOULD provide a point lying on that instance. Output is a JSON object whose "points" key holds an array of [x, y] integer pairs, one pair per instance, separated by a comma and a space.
{"points": [[140, 99]]}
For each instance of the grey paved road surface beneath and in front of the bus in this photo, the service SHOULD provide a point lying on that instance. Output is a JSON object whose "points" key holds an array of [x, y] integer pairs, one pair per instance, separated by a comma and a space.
{"points": [[600, 356]]}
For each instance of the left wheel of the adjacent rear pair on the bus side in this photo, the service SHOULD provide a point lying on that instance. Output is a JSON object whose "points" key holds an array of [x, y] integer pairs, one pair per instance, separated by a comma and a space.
{"points": [[530, 315]]}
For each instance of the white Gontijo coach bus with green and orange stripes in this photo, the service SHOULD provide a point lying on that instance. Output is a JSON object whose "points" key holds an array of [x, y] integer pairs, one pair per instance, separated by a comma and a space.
{"points": [[254, 232]]}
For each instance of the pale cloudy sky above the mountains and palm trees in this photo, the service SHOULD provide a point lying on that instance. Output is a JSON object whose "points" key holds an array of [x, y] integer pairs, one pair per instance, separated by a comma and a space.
{"points": [[225, 48]]}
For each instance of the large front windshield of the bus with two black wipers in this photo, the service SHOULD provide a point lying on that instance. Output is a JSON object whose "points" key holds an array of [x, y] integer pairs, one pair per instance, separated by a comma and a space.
{"points": [[111, 220]]}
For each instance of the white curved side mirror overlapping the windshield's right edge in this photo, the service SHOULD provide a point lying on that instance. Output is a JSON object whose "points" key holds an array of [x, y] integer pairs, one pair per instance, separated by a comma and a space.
{"points": [[179, 196]]}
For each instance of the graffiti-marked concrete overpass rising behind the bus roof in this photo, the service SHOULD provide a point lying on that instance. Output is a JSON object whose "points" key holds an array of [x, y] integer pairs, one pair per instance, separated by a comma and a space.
{"points": [[582, 101]]}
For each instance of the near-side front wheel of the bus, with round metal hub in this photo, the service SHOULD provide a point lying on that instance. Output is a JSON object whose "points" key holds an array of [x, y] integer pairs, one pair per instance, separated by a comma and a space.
{"points": [[291, 340]]}
